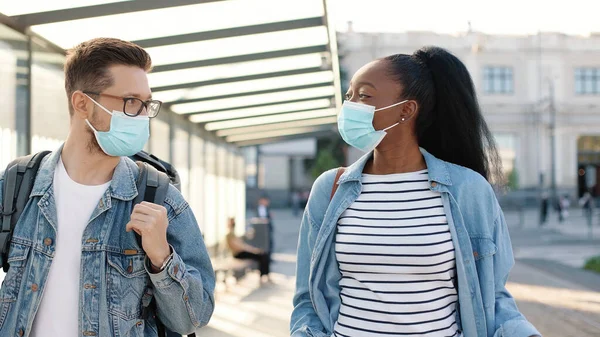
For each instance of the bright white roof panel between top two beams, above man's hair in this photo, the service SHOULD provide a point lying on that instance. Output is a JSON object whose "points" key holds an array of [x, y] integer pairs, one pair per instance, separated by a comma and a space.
{"points": [[179, 20]]}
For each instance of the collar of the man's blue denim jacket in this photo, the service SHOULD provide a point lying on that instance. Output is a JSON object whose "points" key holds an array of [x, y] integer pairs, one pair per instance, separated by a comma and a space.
{"points": [[122, 186]]}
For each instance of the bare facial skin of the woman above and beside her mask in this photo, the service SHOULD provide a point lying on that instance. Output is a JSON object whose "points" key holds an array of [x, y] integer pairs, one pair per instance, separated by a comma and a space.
{"points": [[373, 85]]}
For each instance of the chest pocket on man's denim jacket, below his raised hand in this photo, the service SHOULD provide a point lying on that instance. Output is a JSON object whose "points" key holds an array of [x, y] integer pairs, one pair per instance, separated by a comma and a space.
{"points": [[126, 281]]}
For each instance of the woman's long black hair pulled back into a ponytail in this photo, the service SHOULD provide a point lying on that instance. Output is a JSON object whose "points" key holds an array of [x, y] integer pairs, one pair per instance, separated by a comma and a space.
{"points": [[450, 124]]}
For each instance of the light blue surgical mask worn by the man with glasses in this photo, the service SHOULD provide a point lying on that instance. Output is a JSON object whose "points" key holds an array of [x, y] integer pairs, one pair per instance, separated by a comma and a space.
{"points": [[127, 135]]}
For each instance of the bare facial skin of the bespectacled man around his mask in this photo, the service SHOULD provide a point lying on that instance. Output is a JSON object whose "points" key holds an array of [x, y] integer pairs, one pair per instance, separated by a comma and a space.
{"points": [[127, 82]]}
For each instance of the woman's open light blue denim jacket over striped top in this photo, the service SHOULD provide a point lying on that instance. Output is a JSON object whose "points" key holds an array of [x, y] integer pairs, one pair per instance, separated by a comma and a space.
{"points": [[483, 253]]}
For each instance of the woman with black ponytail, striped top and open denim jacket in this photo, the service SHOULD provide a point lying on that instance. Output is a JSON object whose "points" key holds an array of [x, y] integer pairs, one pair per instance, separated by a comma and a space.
{"points": [[409, 240]]}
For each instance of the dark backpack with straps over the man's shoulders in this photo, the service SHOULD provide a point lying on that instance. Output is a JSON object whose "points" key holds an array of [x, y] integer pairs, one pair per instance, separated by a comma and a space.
{"points": [[152, 184]]}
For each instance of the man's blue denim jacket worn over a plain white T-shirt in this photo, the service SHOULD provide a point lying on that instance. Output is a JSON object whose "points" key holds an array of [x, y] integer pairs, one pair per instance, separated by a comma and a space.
{"points": [[113, 270]]}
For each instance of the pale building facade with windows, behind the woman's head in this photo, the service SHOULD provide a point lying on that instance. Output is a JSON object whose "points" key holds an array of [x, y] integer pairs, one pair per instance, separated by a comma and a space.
{"points": [[513, 76]]}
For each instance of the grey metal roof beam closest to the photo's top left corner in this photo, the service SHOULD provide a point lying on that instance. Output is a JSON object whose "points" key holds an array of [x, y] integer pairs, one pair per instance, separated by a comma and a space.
{"points": [[69, 14]]}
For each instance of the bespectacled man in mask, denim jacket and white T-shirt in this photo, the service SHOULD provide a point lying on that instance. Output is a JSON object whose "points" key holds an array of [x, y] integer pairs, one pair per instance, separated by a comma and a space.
{"points": [[75, 266]]}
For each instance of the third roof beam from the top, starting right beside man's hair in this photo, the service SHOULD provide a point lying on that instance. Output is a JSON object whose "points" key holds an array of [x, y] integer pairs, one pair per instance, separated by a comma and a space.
{"points": [[241, 58]]}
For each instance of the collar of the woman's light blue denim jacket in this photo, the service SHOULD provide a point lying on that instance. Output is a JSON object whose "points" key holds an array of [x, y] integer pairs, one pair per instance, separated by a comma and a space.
{"points": [[438, 169]]}
